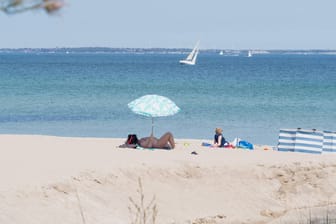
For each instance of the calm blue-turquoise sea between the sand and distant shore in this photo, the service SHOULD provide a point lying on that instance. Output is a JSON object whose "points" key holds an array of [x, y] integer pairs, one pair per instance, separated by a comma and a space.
{"points": [[85, 93]]}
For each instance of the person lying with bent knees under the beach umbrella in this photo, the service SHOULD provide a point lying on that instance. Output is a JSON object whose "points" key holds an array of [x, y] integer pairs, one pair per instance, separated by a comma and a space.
{"points": [[166, 141]]}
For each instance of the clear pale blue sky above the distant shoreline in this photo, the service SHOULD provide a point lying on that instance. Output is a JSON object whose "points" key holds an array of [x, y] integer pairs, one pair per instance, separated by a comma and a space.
{"points": [[218, 24]]}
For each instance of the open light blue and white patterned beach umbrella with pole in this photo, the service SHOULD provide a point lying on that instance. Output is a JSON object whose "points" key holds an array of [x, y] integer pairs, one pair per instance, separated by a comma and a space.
{"points": [[153, 106]]}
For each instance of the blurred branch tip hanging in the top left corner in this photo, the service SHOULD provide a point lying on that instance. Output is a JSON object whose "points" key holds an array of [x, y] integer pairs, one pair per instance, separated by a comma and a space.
{"points": [[18, 6]]}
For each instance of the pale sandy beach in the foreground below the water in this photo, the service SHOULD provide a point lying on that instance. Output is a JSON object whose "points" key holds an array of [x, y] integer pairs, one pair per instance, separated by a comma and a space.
{"points": [[48, 179]]}
